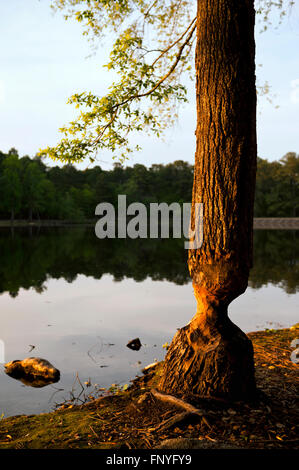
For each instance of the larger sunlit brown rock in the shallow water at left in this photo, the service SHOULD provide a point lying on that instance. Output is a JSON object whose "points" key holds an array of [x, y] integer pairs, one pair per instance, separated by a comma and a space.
{"points": [[33, 371]]}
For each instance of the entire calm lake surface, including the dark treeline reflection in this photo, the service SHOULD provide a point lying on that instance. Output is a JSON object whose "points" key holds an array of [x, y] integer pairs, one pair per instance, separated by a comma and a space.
{"points": [[79, 300]]}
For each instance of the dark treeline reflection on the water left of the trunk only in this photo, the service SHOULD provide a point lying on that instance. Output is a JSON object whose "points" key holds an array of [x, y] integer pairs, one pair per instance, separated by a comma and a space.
{"points": [[28, 261]]}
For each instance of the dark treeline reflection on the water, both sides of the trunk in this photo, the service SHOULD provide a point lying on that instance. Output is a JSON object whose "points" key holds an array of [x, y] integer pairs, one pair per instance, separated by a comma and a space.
{"points": [[29, 261]]}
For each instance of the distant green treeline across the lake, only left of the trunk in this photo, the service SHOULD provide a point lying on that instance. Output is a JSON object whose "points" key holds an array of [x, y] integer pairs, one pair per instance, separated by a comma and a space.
{"points": [[70, 194]]}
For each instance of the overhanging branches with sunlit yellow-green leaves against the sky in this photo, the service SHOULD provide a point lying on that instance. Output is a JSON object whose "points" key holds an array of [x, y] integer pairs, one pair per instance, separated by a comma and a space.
{"points": [[152, 52]]}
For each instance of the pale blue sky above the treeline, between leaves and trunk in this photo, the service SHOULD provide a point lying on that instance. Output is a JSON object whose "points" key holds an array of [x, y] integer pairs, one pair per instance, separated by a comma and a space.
{"points": [[44, 60]]}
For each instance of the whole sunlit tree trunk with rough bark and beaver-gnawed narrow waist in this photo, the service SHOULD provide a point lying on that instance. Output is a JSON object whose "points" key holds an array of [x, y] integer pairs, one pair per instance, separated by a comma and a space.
{"points": [[211, 356]]}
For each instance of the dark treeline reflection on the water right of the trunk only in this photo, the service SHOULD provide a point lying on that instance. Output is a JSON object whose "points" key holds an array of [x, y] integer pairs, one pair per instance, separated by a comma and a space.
{"points": [[276, 259]]}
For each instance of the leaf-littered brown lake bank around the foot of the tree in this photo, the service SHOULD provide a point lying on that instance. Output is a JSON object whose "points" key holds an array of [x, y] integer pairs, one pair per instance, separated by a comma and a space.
{"points": [[137, 418]]}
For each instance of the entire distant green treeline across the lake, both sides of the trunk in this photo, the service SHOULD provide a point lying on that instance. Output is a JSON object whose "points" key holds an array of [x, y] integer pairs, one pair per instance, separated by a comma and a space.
{"points": [[30, 189]]}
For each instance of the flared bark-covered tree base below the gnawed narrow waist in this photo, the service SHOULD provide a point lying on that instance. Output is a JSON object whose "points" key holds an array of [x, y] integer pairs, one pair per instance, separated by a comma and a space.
{"points": [[212, 361]]}
